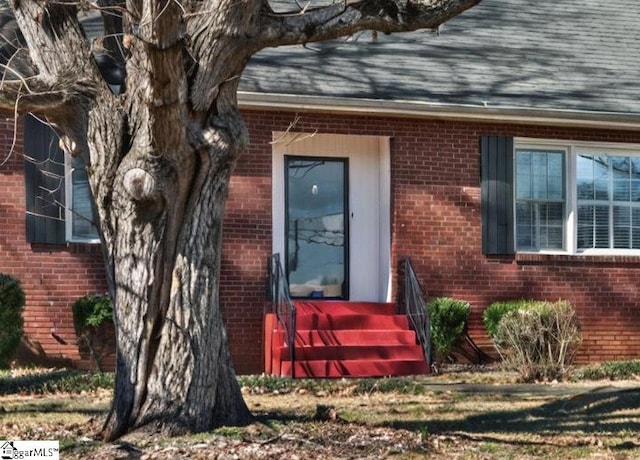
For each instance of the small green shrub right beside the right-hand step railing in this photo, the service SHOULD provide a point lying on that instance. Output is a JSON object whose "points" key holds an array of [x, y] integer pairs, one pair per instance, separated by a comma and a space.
{"points": [[448, 318]]}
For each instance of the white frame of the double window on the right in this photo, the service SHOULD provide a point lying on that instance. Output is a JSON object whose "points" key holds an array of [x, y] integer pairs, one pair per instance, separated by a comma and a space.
{"points": [[572, 148]]}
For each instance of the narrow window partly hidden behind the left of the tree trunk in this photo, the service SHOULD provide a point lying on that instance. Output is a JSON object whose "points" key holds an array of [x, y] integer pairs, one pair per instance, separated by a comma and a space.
{"points": [[80, 212]]}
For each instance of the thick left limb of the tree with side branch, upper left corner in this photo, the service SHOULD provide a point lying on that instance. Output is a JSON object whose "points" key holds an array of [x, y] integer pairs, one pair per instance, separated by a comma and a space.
{"points": [[62, 80]]}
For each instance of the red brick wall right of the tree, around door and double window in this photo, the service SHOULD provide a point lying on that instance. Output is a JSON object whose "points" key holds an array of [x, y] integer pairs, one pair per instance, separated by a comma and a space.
{"points": [[436, 222]]}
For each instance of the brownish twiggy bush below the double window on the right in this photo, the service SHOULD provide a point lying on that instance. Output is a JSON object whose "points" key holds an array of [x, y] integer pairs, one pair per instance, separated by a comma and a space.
{"points": [[539, 339]]}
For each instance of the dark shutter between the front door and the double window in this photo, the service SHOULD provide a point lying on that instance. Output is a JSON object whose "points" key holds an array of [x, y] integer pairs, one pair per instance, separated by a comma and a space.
{"points": [[496, 164]]}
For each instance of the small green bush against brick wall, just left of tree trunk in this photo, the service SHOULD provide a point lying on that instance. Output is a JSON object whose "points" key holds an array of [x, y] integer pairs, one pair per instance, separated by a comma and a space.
{"points": [[93, 321]]}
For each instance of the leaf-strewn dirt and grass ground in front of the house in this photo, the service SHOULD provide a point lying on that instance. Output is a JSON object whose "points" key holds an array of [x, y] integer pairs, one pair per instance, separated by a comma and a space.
{"points": [[440, 419]]}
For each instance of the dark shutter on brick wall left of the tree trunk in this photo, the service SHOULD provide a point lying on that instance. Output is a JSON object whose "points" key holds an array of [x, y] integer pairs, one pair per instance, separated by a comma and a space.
{"points": [[44, 183]]}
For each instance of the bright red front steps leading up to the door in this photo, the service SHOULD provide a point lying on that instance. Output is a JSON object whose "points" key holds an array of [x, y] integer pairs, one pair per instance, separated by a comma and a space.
{"points": [[344, 339]]}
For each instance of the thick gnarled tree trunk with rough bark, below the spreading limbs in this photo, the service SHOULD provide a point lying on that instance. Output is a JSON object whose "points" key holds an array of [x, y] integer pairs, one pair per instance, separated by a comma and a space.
{"points": [[162, 225]]}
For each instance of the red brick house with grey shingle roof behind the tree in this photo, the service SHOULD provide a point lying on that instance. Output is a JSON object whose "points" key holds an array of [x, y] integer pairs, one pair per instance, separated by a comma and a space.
{"points": [[500, 153]]}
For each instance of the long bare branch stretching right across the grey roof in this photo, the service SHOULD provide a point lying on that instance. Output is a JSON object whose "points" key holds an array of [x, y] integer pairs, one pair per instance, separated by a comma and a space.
{"points": [[350, 16]]}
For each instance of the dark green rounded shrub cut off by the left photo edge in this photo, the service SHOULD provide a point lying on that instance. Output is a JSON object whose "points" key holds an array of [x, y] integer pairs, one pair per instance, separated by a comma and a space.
{"points": [[11, 323]]}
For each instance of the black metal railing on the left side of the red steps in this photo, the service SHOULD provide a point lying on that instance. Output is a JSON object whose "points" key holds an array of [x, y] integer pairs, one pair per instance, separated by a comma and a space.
{"points": [[282, 305]]}
